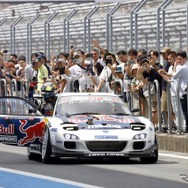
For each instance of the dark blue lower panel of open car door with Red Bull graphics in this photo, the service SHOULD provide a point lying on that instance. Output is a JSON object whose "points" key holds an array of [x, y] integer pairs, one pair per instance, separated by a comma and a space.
{"points": [[21, 131]]}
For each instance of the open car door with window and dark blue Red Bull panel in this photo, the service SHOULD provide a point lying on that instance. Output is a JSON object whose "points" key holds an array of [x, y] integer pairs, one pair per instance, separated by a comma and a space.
{"points": [[20, 123]]}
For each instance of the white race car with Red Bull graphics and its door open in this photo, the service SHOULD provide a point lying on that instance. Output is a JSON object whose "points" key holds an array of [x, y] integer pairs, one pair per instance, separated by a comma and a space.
{"points": [[85, 125]]}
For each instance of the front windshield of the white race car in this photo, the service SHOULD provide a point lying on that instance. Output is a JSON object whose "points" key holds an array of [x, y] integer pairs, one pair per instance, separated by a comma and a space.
{"points": [[90, 104]]}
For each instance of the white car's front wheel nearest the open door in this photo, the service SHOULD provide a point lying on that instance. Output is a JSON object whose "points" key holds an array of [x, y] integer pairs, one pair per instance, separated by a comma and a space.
{"points": [[46, 148]]}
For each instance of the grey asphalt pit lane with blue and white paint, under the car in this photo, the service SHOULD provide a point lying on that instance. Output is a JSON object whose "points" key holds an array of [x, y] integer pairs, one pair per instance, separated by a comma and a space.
{"points": [[17, 171]]}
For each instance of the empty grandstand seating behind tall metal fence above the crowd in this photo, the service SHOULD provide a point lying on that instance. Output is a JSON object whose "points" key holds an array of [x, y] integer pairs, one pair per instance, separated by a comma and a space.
{"points": [[53, 27]]}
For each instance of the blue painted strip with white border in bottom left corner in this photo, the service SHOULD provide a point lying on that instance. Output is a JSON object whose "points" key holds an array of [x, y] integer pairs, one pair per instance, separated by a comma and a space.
{"points": [[51, 181]]}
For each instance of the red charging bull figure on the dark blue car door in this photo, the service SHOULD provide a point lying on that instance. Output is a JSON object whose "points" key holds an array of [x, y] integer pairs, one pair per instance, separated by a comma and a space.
{"points": [[31, 133]]}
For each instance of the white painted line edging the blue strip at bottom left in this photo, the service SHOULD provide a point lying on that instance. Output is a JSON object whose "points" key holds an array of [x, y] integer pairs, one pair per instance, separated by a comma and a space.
{"points": [[48, 178]]}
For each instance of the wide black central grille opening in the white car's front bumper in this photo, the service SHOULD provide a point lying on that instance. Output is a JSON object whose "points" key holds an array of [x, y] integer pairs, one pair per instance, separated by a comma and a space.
{"points": [[105, 145]]}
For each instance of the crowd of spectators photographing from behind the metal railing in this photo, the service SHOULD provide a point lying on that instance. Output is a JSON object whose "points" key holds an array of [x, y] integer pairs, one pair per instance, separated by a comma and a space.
{"points": [[127, 73]]}
